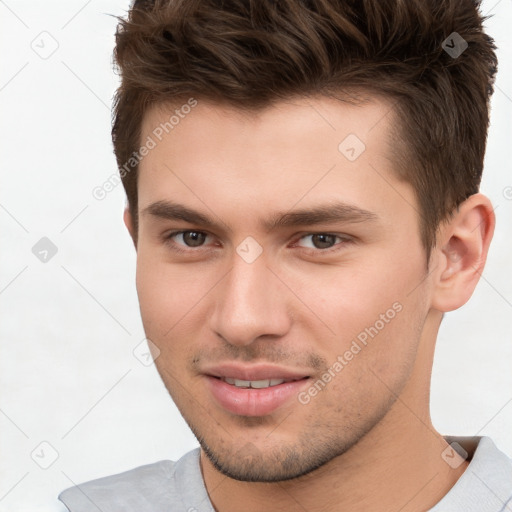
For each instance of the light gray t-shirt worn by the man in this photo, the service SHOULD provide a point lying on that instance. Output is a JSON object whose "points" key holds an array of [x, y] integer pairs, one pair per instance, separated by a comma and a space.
{"points": [[166, 486]]}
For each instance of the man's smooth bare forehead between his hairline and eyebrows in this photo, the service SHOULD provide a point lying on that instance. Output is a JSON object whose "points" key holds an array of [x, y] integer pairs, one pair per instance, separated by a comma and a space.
{"points": [[241, 163]]}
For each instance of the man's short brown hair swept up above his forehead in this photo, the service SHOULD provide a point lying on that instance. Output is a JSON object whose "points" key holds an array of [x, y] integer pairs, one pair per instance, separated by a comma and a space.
{"points": [[252, 53]]}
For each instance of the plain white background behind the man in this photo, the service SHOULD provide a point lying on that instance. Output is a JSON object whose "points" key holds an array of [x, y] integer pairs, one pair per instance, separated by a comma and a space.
{"points": [[69, 326]]}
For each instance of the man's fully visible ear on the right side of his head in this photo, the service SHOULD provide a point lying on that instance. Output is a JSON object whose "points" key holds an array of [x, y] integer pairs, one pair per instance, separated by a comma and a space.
{"points": [[461, 251]]}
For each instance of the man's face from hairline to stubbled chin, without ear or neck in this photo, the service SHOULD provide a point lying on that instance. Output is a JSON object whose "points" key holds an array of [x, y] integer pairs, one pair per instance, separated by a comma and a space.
{"points": [[281, 275]]}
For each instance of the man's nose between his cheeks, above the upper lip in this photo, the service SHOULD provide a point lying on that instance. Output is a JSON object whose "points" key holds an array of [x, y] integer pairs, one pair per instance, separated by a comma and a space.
{"points": [[251, 303]]}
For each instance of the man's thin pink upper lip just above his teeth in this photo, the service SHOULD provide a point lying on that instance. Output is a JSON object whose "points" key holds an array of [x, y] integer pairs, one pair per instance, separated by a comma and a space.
{"points": [[253, 372]]}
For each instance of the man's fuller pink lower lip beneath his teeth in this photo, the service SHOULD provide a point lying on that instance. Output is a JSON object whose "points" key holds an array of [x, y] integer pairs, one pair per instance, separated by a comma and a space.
{"points": [[251, 401]]}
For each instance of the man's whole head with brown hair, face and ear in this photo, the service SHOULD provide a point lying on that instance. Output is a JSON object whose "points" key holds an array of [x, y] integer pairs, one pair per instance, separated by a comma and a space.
{"points": [[325, 158]]}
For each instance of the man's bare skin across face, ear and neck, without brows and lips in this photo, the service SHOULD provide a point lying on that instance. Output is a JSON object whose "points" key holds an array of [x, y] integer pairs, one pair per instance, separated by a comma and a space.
{"points": [[366, 440]]}
